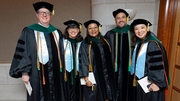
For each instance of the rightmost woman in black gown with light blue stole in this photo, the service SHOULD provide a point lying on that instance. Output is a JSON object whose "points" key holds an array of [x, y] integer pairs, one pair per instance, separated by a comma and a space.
{"points": [[149, 62]]}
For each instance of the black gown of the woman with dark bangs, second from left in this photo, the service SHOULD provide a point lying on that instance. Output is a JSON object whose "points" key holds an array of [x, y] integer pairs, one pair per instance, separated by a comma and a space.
{"points": [[73, 86]]}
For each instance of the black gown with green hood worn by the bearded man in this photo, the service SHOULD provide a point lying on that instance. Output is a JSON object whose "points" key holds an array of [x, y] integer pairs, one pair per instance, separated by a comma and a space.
{"points": [[122, 53]]}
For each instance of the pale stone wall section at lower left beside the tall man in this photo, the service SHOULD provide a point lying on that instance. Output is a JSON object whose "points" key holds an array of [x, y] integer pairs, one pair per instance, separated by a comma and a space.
{"points": [[11, 89]]}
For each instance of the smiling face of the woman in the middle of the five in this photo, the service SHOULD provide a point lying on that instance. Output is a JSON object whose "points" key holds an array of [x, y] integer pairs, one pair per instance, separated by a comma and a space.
{"points": [[93, 30]]}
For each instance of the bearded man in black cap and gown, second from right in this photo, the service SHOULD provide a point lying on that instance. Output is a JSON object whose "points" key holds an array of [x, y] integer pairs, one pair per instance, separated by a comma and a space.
{"points": [[119, 39]]}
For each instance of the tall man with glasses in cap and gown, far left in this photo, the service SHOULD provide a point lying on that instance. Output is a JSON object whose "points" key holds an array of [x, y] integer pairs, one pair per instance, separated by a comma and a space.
{"points": [[39, 58]]}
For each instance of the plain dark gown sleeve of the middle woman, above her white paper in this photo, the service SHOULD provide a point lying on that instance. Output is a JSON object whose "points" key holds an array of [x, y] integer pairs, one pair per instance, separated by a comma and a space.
{"points": [[83, 57]]}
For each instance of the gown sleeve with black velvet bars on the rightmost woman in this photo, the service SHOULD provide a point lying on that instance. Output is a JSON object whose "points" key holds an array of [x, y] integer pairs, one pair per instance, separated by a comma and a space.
{"points": [[156, 68]]}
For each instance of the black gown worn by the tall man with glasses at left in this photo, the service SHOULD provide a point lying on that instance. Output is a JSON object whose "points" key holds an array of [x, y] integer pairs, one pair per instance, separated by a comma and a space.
{"points": [[25, 61]]}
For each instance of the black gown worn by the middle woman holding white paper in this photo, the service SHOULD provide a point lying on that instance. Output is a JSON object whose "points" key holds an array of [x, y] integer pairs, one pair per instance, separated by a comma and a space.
{"points": [[102, 90]]}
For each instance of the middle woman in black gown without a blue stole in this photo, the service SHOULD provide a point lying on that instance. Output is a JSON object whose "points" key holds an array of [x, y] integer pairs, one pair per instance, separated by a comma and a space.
{"points": [[95, 58]]}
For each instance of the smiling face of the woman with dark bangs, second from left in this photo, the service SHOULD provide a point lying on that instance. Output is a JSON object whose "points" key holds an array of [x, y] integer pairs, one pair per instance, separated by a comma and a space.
{"points": [[73, 32]]}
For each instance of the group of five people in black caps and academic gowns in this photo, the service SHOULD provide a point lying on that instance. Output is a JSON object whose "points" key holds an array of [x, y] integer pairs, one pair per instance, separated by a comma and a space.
{"points": [[67, 67]]}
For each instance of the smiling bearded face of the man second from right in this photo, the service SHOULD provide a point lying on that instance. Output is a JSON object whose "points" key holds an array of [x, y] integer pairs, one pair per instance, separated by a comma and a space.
{"points": [[121, 20]]}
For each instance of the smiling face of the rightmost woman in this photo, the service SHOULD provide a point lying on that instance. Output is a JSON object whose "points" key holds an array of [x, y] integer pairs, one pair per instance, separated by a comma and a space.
{"points": [[140, 31]]}
